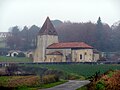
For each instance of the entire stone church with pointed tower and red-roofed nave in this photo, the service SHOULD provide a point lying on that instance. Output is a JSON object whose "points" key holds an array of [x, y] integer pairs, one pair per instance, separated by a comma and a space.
{"points": [[49, 49]]}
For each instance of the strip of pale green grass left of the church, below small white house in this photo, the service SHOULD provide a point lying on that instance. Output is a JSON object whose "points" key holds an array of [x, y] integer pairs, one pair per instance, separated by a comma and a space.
{"points": [[14, 59]]}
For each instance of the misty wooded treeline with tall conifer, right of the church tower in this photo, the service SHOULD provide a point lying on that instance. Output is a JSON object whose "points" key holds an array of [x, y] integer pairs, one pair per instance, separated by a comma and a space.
{"points": [[99, 35]]}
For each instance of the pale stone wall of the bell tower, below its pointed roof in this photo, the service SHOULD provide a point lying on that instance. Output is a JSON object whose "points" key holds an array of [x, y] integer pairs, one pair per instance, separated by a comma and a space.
{"points": [[43, 42]]}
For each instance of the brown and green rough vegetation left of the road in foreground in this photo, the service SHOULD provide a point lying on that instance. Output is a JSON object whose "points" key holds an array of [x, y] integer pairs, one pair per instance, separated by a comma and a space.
{"points": [[28, 82]]}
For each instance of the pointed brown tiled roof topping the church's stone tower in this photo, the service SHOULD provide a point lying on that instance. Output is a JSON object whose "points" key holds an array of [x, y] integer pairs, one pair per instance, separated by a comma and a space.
{"points": [[47, 28]]}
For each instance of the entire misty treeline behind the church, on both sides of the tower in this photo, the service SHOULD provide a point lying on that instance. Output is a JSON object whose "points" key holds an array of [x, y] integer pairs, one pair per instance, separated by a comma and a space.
{"points": [[99, 35]]}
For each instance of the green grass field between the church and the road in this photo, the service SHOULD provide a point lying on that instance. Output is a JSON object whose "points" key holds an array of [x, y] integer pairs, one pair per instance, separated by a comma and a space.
{"points": [[85, 70]]}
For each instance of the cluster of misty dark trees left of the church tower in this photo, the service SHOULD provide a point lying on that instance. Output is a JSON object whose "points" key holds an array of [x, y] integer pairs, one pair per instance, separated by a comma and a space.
{"points": [[24, 39]]}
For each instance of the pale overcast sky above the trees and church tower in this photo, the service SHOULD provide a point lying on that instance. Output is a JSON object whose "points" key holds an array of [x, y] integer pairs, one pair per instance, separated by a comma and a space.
{"points": [[34, 12]]}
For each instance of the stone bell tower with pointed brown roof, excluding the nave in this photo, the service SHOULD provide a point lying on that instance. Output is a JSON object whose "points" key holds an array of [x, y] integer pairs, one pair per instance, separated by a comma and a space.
{"points": [[46, 36]]}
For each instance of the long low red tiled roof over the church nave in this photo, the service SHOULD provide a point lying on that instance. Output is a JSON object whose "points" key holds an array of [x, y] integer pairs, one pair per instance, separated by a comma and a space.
{"points": [[69, 45]]}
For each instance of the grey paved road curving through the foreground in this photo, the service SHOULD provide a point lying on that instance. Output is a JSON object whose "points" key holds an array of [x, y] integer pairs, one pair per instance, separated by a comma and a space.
{"points": [[71, 85]]}
